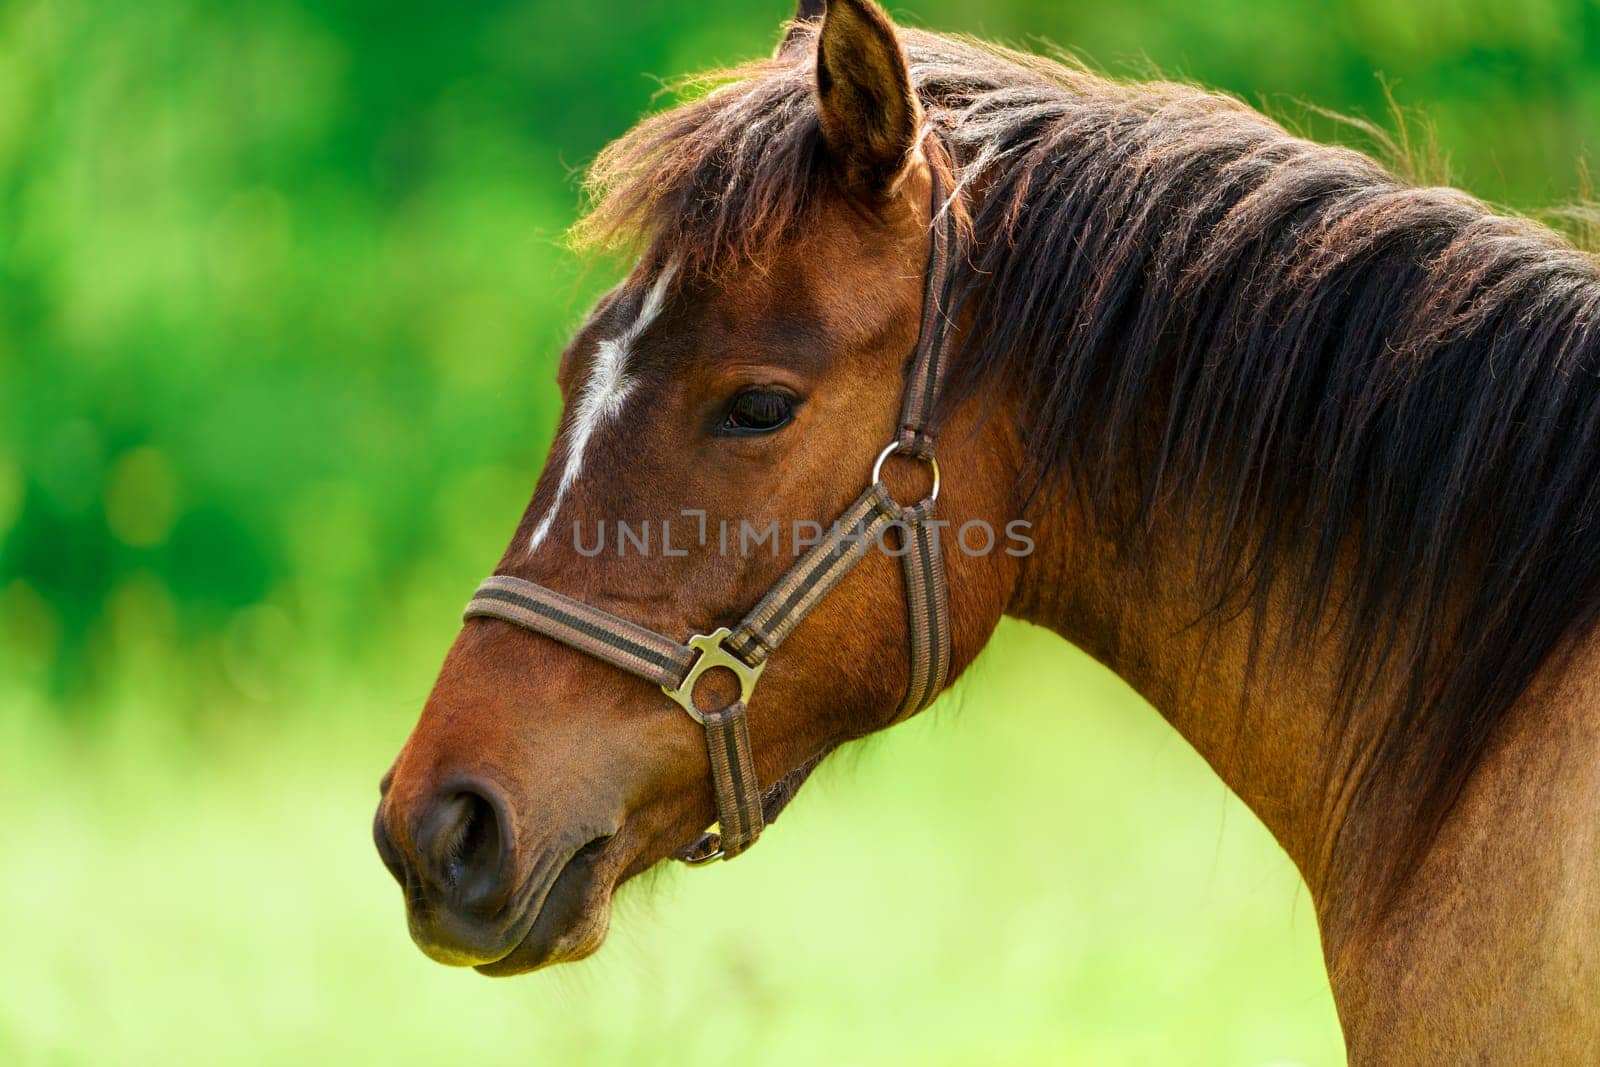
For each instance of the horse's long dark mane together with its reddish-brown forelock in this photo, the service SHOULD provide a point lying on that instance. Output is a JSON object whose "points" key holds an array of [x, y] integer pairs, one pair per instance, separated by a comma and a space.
{"points": [[1383, 390]]}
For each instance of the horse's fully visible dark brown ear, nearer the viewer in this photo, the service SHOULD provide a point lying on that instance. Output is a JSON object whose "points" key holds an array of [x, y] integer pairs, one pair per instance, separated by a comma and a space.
{"points": [[865, 97]]}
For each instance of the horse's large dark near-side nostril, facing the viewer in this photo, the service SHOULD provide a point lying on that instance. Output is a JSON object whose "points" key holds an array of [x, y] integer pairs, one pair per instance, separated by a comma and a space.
{"points": [[465, 845]]}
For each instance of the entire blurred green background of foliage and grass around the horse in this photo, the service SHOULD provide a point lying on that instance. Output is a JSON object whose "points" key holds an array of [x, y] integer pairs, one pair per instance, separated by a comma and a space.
{"points": [[282, 287]]}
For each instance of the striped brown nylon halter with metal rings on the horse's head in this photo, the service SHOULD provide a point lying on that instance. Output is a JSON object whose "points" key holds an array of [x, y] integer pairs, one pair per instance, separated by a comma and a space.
{"points": [[743, 809]]}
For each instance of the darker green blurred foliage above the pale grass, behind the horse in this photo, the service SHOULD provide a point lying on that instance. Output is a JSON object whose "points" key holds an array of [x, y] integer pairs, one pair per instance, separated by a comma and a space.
{"points": [[282, 284]]}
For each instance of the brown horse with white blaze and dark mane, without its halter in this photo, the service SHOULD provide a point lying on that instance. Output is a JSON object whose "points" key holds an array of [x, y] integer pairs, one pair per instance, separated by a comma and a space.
{"points": [[1306, 455]]}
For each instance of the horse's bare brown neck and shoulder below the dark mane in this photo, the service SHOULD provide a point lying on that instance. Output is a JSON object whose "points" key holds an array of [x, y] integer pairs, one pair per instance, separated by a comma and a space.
{"points": [[1266, 724]]}
